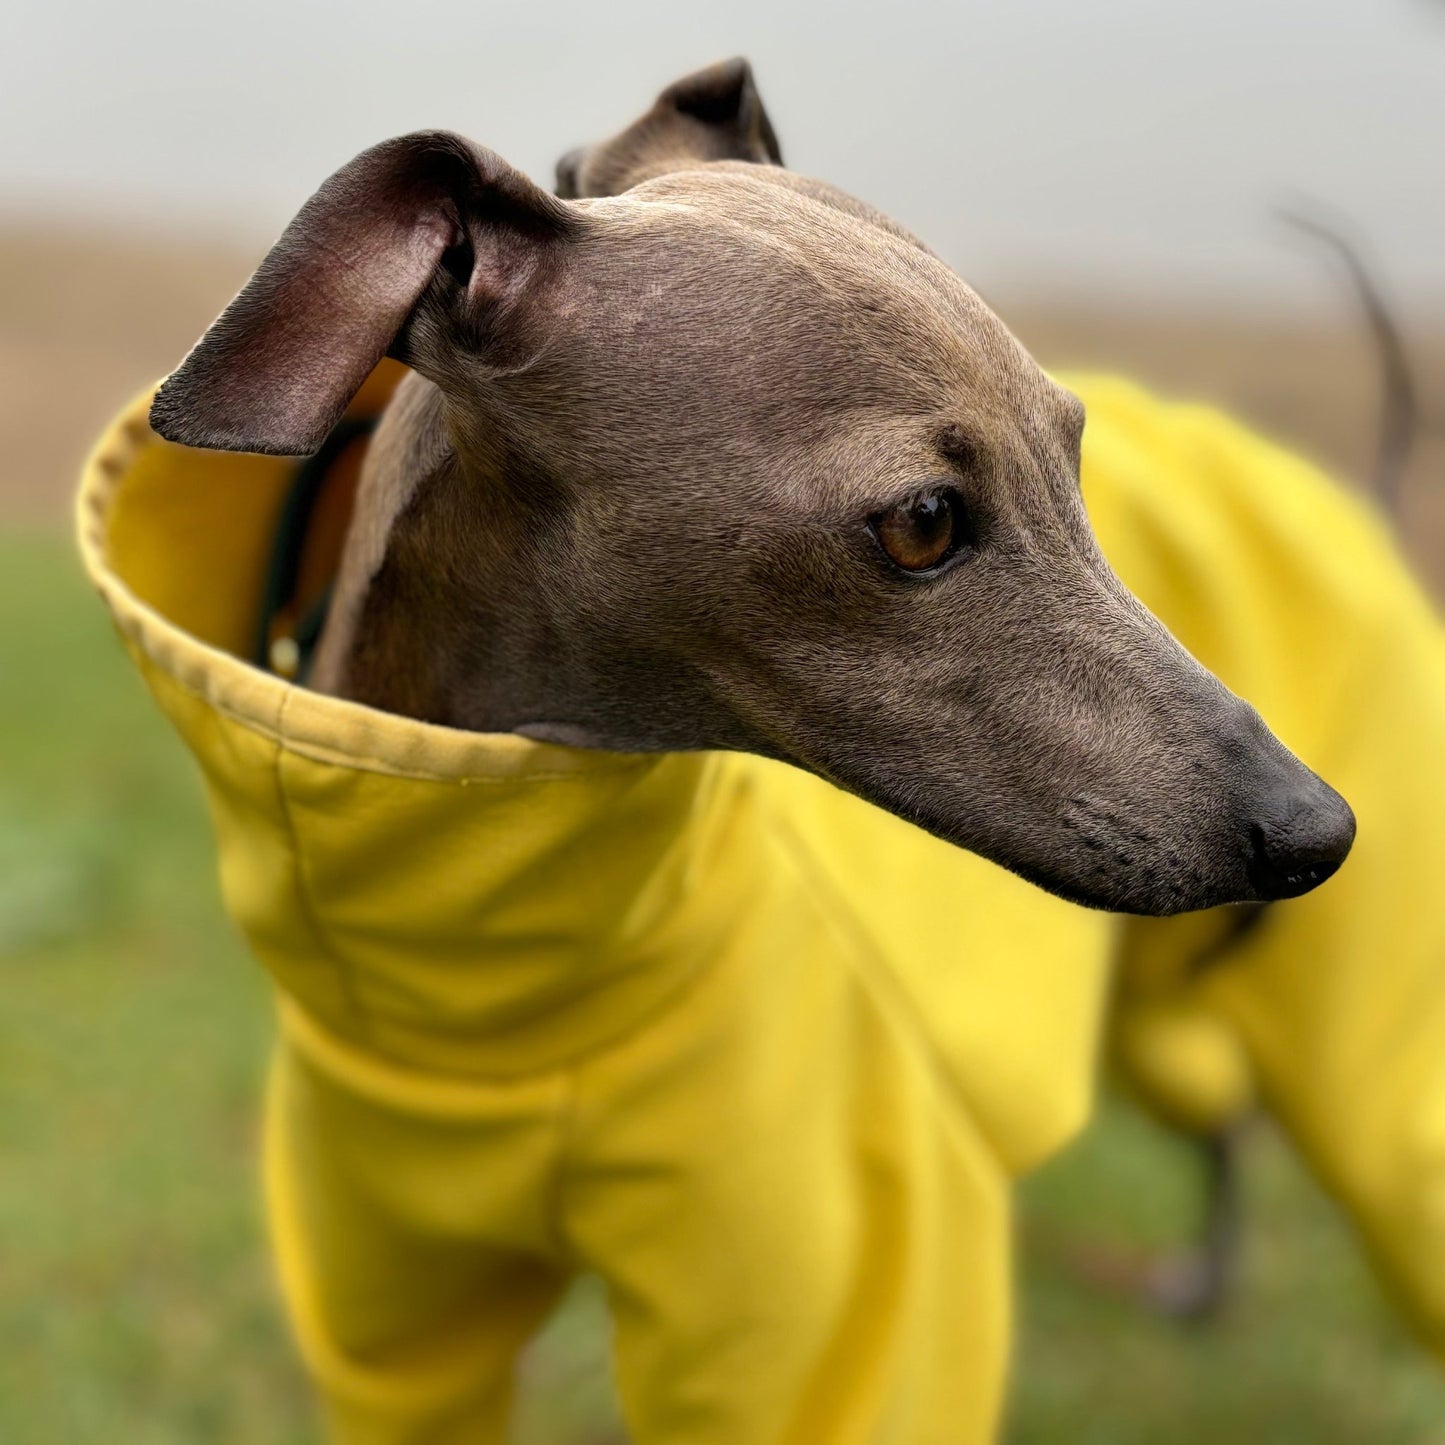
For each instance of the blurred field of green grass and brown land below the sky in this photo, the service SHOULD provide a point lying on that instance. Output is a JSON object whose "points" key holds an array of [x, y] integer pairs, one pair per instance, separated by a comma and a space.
{"points": [[137, 1298]]}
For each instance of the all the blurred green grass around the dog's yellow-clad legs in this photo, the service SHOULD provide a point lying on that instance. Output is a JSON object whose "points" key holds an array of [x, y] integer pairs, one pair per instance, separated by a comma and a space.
{"points": [[137, 1294]]}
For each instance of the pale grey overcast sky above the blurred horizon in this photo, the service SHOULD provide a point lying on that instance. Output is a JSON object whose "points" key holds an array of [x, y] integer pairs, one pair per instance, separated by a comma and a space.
{"points": [[1112, 145]]}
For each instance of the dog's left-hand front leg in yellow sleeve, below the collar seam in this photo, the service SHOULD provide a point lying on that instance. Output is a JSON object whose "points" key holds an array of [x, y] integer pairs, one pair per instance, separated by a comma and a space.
{"points": [[411, 1290]]}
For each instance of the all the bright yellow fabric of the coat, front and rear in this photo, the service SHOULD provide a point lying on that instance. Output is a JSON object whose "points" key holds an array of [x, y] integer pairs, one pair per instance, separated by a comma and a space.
{"points": [[756, 1054]]}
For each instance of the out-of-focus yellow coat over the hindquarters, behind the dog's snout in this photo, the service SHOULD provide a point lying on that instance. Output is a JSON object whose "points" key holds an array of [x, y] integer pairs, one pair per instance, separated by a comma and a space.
{"points": [[1332, 1012]]}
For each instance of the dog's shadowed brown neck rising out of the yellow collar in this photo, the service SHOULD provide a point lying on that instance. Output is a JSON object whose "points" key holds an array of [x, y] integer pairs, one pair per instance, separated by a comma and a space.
{"points": [[437, 616]]}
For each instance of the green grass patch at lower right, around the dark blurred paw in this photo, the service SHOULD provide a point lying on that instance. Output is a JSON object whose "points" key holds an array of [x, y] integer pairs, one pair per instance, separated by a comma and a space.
{"points": [[1307, 1352]]}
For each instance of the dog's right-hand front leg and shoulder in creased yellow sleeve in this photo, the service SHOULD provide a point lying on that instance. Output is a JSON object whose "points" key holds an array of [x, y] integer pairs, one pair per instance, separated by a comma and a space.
{"points": [[804, 1236]]}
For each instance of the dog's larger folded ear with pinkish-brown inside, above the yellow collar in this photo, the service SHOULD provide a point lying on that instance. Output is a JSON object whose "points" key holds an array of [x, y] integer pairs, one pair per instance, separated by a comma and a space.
{"points": [[424, 216]]}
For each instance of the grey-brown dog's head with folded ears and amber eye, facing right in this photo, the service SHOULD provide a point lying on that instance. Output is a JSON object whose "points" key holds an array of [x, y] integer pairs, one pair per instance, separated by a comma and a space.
{"points": [[729, 460]]}
